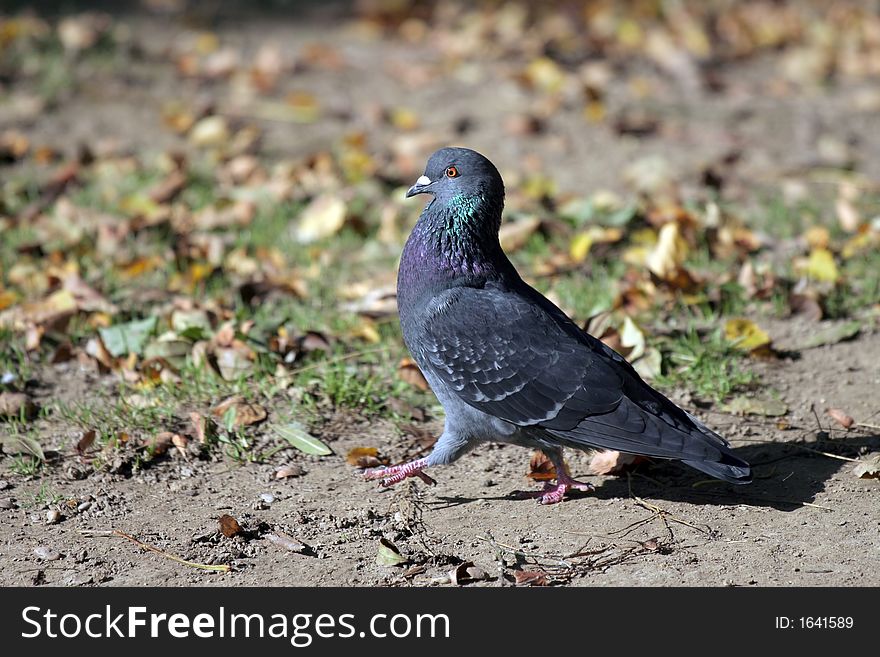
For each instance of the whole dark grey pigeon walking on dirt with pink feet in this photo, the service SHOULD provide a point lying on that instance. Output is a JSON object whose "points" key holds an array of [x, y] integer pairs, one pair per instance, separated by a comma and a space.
{"points": [[508, 365]]}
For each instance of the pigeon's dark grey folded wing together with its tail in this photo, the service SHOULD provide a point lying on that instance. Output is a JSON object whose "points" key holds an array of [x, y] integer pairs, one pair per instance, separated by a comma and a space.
{"points": [[514, 355]]}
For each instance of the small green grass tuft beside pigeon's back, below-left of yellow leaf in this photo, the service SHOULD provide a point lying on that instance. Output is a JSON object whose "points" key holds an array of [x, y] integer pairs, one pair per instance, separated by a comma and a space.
{"points": [[707, 365]]}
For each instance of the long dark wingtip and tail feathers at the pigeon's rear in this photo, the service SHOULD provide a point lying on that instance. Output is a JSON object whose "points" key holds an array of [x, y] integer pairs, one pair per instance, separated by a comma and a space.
{"points": [[658, 428]]}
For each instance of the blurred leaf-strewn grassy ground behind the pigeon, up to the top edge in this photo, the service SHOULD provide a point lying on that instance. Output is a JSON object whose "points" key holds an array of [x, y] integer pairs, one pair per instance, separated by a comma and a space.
{"points": [[201, 210]]}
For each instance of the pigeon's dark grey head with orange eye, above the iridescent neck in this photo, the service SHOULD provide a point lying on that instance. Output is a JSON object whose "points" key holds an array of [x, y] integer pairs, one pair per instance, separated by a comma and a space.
{"points": [[460, 173]]}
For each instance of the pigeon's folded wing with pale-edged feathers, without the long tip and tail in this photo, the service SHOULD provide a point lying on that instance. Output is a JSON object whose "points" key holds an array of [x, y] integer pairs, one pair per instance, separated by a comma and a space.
{"points": [[507, 356]]}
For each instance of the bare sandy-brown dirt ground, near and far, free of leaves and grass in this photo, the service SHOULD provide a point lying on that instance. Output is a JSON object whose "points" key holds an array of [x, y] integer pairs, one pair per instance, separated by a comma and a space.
{"points": [[806, 520]]}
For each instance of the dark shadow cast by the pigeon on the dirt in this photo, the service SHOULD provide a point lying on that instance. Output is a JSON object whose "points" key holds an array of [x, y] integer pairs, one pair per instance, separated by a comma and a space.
{"points": [[787, 476]]}
